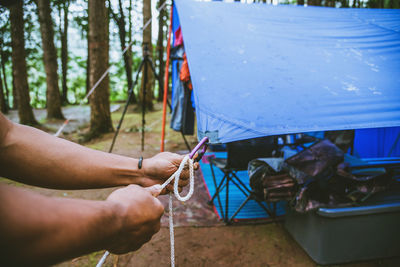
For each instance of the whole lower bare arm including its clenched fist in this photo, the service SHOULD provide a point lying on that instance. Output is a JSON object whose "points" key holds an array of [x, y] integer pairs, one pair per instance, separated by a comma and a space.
{"points": [[37, 230]]}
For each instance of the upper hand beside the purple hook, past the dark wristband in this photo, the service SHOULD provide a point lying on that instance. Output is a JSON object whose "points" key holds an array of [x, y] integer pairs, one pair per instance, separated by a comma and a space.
{"points": [[160, 167]]}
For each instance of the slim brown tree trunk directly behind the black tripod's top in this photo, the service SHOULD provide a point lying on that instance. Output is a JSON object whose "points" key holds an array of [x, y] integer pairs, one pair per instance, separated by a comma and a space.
{"points": [[147, 89]]}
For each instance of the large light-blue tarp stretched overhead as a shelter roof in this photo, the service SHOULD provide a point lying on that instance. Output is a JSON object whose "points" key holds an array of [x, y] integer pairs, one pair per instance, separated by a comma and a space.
{"points": [[262, 70]]}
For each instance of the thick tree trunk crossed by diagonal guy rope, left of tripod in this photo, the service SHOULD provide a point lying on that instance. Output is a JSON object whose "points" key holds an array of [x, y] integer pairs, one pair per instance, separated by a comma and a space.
{"points": [[100, 117]]}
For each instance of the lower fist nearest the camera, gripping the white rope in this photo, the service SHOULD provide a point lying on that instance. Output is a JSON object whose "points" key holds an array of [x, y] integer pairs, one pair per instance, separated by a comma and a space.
{"points": [[139, 212]]}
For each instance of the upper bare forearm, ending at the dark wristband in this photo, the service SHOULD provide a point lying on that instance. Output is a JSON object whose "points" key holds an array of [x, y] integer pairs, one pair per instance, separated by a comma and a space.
{"points": [[34, 157]]}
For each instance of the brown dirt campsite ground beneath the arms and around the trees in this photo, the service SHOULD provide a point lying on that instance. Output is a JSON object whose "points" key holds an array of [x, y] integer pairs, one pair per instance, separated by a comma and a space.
{"points": [[201, 239]]}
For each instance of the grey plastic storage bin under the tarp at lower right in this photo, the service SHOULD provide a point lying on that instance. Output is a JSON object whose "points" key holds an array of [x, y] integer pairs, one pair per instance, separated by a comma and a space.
{"points": [[339, 235]]}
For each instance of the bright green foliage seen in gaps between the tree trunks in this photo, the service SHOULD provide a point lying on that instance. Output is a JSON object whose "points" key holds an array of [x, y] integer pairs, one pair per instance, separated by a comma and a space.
{"points": [[77, 61]]}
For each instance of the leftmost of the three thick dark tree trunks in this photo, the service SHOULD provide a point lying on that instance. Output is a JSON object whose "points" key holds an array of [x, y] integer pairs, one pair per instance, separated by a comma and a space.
{"points": [[20, 76]]}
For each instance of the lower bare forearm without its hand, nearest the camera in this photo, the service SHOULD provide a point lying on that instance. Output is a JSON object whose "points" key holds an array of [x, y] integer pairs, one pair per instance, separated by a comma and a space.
{"points": [[37, 230]]}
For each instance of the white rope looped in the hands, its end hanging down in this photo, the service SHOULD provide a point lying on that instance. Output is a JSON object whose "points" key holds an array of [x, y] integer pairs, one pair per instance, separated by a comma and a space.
{"points": [[175, 176]]}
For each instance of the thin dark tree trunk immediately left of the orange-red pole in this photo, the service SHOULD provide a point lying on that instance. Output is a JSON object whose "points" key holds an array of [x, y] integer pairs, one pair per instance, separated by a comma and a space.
{"points": [[160, 48]]}
